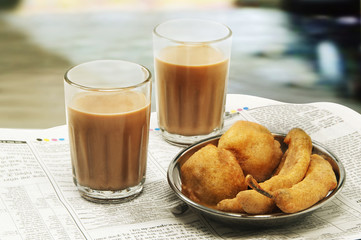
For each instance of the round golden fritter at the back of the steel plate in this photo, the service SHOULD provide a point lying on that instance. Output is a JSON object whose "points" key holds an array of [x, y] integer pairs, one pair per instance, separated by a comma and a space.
{"points": [[254, 147]]}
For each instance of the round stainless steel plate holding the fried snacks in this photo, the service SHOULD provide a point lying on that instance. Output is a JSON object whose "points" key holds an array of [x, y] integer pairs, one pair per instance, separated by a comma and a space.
{"points": [[243, 219]]}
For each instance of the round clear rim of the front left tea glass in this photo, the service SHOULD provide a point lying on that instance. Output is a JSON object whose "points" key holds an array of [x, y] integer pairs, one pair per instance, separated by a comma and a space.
{"points": [[147, 77]]}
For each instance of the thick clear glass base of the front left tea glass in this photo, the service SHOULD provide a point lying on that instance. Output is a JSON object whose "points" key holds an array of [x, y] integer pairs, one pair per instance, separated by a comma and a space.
{"points": [[103, 196]]}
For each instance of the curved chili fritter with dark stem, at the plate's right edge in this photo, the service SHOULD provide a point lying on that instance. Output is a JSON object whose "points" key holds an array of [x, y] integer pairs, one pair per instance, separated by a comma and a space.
{"points": [[319, 180]]}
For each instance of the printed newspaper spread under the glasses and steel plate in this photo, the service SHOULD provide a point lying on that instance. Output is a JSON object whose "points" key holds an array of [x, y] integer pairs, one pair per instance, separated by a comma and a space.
{"points": [[38, 199]]}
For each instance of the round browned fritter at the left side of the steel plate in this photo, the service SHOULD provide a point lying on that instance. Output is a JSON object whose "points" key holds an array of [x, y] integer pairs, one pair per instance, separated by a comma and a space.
{"points": [[210, 175]]}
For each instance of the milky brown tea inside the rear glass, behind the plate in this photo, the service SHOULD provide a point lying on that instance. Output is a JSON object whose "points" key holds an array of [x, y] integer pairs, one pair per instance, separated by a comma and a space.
{"points": [[191, 87]]}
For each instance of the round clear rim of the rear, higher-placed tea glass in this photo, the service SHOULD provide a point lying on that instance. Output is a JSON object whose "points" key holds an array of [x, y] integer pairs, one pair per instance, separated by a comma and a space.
{"points": [[228, 35]]}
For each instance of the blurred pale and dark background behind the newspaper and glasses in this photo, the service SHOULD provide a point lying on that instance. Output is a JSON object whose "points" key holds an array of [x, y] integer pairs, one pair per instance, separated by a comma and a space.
{"points": [[295, 51]]}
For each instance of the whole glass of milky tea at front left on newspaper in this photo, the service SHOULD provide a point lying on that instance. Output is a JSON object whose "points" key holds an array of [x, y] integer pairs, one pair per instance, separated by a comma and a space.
{"points": [[108, 114]]}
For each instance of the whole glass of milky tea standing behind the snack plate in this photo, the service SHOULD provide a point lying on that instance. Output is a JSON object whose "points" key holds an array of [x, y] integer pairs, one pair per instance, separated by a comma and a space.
{"points": [[191, 59]]}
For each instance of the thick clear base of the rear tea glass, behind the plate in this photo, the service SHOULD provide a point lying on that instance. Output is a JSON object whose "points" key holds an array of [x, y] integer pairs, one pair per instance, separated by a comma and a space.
{"points": [[184, 141]]}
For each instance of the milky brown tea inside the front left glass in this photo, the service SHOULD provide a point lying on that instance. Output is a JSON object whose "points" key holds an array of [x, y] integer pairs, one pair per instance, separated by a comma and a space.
{"points": [[109, 136]]}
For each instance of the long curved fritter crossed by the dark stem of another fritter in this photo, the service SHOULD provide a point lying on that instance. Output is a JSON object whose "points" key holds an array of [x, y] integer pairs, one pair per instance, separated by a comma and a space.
{"points": [[293, 170]]}
